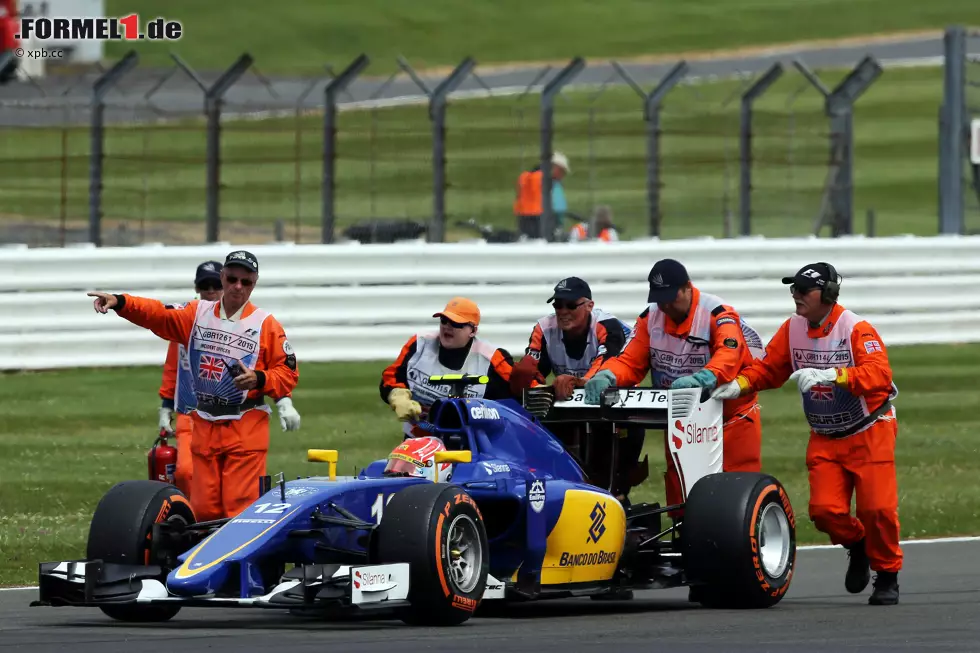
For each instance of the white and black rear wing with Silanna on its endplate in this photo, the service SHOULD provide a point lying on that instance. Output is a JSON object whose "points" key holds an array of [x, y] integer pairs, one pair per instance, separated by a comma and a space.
{"points": [[692, 421]]}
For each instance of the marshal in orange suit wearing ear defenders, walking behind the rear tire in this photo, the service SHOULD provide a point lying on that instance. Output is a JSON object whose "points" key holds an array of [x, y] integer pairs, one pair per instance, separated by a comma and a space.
{"points": [[841, 367]]}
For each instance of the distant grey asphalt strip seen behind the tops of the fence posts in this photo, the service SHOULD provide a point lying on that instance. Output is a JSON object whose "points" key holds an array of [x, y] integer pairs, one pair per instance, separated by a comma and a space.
{"points": [[179, 95]]}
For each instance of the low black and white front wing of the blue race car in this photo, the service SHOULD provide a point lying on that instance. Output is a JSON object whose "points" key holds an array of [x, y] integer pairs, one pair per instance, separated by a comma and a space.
{"points": [[93, 583]]}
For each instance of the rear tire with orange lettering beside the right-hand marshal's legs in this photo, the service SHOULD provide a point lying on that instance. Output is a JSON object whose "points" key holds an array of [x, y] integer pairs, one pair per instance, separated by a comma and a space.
{"points": [[738, 540]]}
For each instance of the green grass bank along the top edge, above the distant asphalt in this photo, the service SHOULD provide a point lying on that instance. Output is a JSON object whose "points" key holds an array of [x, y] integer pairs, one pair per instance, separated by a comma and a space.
{"points": [[301, 35]]}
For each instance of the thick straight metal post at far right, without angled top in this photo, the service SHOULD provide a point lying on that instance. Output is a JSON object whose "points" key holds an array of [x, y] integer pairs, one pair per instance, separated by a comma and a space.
{"points": [[952, 121]]}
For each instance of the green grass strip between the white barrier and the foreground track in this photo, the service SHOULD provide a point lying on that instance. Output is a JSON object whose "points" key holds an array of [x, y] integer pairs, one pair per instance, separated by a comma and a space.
{"points": [[67, 436]]}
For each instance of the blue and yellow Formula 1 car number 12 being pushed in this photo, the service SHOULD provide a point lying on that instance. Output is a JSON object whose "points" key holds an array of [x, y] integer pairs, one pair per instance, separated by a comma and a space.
{"points": [[515, 518]]}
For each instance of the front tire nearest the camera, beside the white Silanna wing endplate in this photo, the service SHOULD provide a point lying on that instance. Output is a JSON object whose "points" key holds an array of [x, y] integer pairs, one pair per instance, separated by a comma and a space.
{"points": [[439, 531]]}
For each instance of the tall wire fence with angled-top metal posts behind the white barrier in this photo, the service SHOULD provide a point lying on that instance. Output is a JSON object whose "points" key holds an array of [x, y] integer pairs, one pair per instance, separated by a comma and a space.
{"points": [[127, 155]]}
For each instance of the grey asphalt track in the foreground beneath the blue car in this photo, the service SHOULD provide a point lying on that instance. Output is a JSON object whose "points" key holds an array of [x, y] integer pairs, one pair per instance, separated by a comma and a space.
{"points": [[939, 611]]}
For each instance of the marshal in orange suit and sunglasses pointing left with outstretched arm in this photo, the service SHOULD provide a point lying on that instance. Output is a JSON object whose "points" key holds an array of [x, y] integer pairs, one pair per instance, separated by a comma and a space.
{"points": [[238, 354]]}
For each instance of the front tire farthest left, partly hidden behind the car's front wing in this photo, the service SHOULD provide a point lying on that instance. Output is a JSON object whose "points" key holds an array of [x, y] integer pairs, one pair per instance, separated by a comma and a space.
{"points": [[121, 532]]}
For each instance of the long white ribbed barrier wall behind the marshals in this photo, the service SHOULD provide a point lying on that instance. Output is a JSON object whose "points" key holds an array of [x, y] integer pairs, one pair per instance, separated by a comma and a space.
{"points": [[361, 302]]}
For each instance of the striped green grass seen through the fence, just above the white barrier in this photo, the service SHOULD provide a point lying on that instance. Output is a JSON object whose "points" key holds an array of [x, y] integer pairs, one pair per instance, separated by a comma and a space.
{"points": [[155, 175]]}
